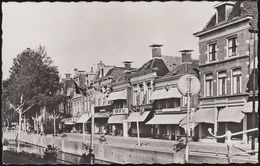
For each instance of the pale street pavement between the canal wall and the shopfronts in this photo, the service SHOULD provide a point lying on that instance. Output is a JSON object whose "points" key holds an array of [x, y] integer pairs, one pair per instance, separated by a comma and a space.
{"points": [[163, 145]]}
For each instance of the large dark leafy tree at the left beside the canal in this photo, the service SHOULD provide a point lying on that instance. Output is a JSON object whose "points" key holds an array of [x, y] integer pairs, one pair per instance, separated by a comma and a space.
{"points": [[34, 76]]}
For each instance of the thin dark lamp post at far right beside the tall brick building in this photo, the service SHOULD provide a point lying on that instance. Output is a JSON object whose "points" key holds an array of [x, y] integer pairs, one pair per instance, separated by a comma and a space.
{"points": [[253, 31]]}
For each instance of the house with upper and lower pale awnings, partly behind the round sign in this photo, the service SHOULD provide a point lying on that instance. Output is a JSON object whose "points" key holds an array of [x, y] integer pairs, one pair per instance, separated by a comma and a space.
{"points": [[170, 107]]}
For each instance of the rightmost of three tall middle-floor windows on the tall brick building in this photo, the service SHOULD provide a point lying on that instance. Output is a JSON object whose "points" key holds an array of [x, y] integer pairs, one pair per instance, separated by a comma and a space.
{"points": [[236, 81]]}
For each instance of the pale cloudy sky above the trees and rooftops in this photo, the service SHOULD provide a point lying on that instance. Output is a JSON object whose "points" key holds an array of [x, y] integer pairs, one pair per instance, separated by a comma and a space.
{"points": [[79, 35]]}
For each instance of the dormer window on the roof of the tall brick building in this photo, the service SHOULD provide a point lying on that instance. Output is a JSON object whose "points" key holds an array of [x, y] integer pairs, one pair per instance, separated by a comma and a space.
{"points": [[223, 10]]}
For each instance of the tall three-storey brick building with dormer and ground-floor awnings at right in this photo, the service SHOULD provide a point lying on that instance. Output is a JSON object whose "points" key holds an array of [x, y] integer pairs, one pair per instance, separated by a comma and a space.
{"points": [[225, 57]]}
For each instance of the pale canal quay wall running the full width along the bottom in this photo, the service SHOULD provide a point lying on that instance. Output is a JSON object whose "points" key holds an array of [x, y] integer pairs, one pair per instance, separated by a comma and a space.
{"points": [[125, 154]]}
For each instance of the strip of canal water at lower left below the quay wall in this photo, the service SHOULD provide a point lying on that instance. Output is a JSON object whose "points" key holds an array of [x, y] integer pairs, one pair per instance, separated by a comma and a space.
{"points": [[63, 157]]}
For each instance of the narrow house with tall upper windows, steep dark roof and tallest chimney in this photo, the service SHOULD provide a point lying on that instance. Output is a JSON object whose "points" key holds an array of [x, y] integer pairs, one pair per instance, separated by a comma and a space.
{"points": [[142, 87]]}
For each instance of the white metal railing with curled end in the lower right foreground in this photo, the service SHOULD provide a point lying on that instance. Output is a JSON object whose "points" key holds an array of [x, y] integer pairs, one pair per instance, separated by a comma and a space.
{"points": [[228, 136]]}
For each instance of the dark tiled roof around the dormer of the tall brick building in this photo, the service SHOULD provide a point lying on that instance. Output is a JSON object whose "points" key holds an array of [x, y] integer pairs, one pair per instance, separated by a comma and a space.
{"points": [[241, 9]]}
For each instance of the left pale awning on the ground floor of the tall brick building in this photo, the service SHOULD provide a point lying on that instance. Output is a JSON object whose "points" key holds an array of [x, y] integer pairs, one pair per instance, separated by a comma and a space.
{"points": [[205, 115]]}
